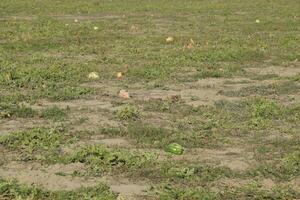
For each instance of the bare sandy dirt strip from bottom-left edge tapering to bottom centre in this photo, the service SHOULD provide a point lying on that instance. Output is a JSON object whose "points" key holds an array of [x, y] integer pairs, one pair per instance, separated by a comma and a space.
{"points": [[59, 177]]}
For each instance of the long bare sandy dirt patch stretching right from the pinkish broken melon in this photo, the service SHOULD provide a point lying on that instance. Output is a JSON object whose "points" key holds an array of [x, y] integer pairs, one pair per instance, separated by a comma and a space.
{"points": [[202, 92]]}
